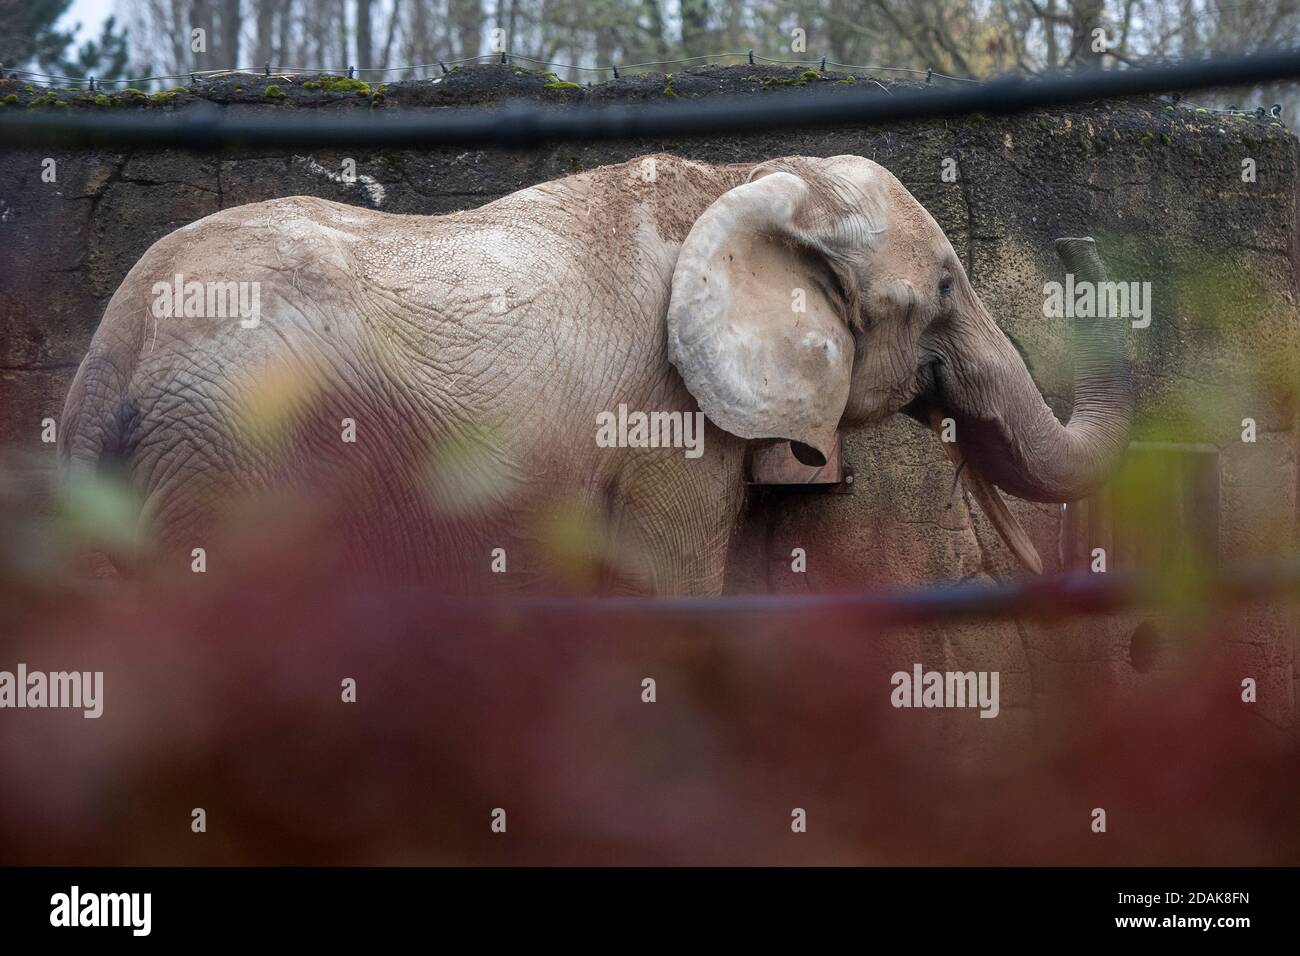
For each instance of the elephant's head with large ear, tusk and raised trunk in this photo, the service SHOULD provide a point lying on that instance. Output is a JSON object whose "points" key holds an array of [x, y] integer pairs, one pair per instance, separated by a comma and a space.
{"points": [[822, 292]]}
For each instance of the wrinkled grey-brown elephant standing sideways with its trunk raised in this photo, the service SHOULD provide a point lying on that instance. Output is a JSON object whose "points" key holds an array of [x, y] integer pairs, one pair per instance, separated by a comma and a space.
{"points": [[476, 356]]}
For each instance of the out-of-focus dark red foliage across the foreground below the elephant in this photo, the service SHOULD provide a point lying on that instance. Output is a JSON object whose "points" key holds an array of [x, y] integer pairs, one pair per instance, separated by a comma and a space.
{"points": [[228, 698]]}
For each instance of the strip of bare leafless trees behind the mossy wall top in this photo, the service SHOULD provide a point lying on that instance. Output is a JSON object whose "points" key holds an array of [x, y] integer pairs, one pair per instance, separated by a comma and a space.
{"points": [[967, 37]]}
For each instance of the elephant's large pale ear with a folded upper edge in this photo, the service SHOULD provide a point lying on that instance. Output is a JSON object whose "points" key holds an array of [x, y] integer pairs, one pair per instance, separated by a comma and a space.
{"points": [[757, 322]]}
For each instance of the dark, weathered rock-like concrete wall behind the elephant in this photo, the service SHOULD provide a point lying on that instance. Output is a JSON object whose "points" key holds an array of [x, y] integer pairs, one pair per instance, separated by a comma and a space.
{"points": [[1160, 187]]}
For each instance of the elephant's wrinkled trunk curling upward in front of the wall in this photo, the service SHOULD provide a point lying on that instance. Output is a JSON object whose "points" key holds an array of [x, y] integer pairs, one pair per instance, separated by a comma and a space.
{"points": [[1008, 432]]}
